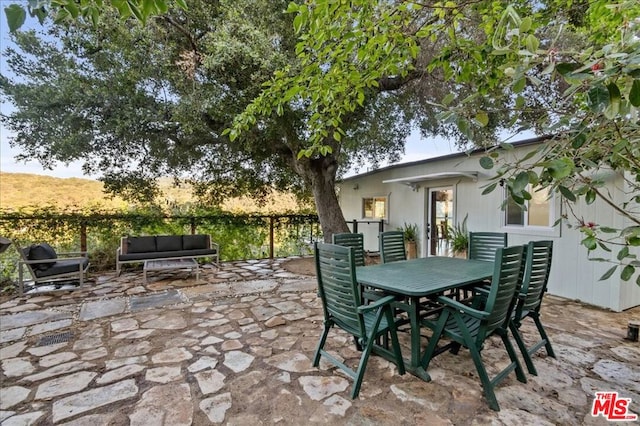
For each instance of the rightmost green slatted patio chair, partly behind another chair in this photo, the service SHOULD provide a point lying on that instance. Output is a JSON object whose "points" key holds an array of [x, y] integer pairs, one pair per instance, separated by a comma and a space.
{"points": [[535, 276]]}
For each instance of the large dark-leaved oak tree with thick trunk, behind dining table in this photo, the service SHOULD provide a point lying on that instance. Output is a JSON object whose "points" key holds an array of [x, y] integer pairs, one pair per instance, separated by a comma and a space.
{"points": [[134, 102]]}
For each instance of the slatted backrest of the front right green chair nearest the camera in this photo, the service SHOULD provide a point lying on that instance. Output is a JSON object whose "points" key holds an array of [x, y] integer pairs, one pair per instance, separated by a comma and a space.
{"points": [[505, 280]]}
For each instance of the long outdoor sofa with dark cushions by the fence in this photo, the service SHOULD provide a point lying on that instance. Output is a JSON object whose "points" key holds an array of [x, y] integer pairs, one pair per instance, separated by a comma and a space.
{"points": [[165, 247]]}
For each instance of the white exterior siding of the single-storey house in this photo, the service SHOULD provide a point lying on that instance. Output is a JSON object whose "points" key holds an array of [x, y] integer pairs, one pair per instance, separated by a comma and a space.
{"points": [[573, 276]]}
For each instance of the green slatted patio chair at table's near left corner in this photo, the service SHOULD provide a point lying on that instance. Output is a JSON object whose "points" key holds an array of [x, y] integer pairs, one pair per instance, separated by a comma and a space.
{"points": [[342, 307]]}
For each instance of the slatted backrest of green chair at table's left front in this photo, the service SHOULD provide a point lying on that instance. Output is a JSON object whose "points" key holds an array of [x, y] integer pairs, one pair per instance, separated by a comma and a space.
{"points": [[339, 290]]}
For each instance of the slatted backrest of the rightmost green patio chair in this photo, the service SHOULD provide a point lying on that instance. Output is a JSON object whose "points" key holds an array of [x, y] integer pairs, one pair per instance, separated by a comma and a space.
{"points": [[536, 273]]}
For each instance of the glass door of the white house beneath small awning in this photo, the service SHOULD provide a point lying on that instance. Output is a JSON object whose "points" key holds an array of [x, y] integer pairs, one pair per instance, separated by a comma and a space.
{"points": [[439, 221]]}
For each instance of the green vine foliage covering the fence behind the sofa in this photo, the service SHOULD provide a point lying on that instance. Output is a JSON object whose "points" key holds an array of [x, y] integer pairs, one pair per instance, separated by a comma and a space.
{"points": [[240, 236]]}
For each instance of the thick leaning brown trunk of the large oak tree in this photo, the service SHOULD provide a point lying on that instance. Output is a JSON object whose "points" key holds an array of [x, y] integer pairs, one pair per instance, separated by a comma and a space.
{"points": [[322, 174]]}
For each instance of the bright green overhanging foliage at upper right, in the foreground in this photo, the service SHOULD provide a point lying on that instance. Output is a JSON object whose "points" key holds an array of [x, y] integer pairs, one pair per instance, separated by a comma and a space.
{"points": [[568, 69]]}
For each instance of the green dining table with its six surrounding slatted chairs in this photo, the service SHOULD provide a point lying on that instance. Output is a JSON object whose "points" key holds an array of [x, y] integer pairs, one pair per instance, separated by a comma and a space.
{"points": [[465, 301]]}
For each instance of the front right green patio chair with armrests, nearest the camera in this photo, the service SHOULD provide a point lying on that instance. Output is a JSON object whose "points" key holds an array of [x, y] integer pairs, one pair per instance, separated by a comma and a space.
{"points": [[470, 327]]}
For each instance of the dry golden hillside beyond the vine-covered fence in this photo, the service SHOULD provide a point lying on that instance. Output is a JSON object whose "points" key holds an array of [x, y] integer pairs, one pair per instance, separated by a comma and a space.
{"points": [[21, 190]]}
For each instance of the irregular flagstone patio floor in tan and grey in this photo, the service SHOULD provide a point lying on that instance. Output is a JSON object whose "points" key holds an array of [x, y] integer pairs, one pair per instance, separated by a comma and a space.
{"points": [[236, 348]]}
